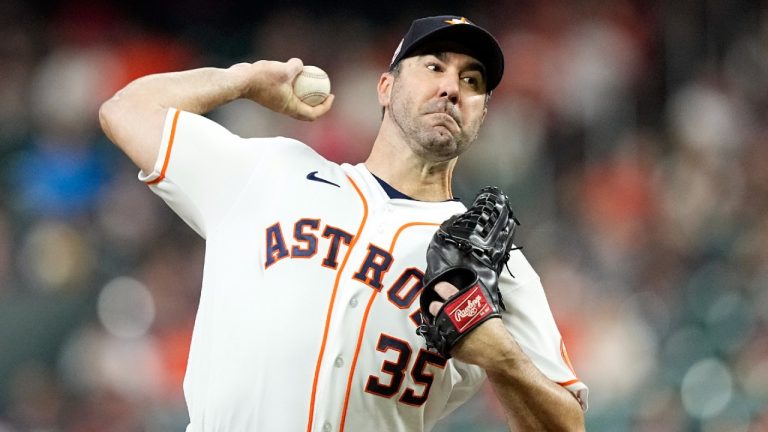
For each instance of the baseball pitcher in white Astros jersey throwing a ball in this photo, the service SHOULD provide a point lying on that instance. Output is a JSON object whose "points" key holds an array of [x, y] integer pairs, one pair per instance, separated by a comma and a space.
{"points": [[342, 297]]}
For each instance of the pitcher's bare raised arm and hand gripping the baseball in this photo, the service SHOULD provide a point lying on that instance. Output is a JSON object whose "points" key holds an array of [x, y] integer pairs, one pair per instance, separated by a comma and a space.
{"points": [[133, 118]]}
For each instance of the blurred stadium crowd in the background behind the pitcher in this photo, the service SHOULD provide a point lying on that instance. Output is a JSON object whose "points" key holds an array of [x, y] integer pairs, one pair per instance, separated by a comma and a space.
{"points": [[632, 137]]}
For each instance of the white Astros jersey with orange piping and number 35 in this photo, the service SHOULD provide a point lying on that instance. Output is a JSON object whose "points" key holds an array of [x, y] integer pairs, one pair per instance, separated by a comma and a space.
{"points": [[309, 304]]}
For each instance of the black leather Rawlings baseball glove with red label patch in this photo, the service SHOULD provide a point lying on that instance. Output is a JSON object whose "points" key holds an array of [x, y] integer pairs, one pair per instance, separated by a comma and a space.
{"points": [[469, 250]]}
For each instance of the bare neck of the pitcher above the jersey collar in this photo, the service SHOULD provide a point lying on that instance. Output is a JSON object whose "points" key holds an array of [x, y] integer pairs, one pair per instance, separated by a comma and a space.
{"points": [[395, 163]]}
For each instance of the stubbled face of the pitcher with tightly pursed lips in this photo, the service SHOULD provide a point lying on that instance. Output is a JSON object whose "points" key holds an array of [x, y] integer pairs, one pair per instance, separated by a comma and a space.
{"points": [[438, 101]]}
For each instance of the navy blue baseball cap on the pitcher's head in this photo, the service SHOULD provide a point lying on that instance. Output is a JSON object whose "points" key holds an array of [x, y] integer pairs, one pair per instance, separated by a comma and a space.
{"points": [[458, 31]]}
